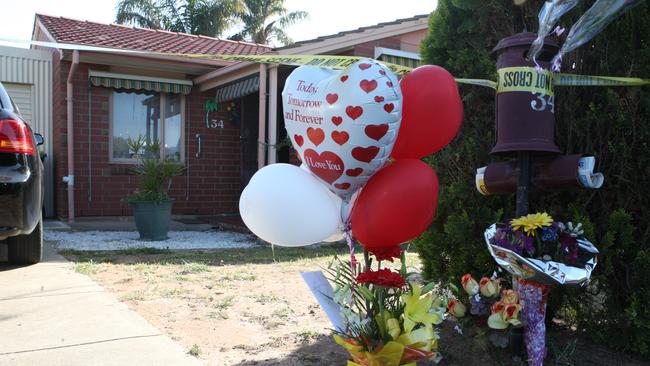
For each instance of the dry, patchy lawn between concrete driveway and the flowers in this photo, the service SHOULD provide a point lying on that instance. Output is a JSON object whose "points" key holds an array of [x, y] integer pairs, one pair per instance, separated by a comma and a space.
{"points": [[228, 306]]}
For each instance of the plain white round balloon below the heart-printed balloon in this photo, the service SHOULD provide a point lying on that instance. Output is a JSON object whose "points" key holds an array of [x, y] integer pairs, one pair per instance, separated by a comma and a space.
{"points": [[287, 206]]}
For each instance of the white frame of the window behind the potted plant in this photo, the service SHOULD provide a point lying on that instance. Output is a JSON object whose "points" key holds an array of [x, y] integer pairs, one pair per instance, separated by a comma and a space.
{"points": [[163, 101]]}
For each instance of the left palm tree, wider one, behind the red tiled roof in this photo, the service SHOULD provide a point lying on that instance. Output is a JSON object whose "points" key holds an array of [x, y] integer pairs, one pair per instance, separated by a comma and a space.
{"points": [[205, 17]]}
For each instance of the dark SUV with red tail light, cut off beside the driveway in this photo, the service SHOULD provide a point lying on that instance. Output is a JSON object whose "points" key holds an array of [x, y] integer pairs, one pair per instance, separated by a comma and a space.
{"points": [[21, 185]]}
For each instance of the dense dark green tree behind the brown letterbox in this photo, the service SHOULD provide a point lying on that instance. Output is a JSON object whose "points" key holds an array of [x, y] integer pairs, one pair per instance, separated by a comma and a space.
{"points": [[611, 123]]}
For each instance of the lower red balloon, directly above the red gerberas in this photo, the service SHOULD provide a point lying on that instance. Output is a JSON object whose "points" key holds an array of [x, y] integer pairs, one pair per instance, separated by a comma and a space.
{"points": [[396, 205]]}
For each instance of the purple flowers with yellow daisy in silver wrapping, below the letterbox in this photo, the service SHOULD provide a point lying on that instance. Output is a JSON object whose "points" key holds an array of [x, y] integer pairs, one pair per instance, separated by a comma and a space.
{"points": [[540, 252]]}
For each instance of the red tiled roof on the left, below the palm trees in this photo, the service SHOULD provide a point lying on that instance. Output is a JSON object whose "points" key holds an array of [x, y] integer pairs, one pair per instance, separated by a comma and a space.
{"points": [[73, 31]]}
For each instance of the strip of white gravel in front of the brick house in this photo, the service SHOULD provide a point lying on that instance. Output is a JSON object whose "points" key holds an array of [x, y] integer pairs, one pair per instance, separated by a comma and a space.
{"points": [[115, 240]]}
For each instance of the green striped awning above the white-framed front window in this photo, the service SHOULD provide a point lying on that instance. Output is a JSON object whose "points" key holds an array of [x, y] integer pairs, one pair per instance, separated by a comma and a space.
{"points": [[133, 82]]}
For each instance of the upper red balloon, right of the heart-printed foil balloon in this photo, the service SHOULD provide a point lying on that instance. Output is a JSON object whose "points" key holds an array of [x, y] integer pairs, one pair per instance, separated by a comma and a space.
{"points": [[431, 112]]}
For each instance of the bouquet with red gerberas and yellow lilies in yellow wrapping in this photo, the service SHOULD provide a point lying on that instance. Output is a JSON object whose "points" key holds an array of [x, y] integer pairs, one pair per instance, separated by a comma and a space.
{"points": [[389, 319]]}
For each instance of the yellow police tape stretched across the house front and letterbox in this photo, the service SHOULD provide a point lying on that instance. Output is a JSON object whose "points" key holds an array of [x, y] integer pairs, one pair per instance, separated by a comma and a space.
{"points": [[507, 82]]}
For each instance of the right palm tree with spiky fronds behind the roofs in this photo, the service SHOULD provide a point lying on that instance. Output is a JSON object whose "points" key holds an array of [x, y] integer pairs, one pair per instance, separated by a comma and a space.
{"points": [[266, 20]]}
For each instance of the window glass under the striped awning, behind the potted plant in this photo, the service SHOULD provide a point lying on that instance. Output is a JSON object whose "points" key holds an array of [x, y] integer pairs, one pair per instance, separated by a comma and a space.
{"points": [[157, 117]]}
